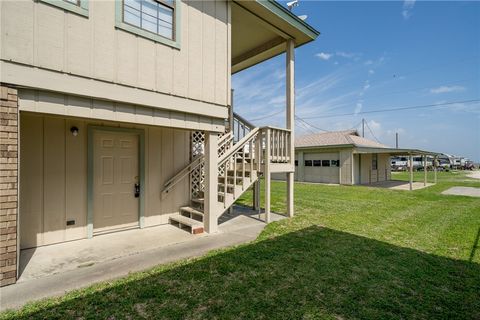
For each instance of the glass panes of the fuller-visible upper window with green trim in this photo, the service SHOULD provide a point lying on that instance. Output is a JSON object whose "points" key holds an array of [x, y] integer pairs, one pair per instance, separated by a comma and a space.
{"points": [[156, 16]]}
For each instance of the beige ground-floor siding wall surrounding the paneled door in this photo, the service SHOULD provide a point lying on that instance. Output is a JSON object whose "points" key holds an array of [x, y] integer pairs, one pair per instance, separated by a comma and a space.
{"points": [[53, 175]]}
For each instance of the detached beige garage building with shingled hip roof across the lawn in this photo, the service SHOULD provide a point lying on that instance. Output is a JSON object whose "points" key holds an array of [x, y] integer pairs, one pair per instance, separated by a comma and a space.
{"points": [[341, 157]]}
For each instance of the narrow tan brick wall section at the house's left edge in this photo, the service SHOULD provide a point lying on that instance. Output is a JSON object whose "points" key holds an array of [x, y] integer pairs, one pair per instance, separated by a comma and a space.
{"points": [[8, 184]]}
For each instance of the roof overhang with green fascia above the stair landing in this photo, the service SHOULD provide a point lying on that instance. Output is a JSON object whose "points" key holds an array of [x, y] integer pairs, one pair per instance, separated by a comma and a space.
{"points": [[260, 29]]}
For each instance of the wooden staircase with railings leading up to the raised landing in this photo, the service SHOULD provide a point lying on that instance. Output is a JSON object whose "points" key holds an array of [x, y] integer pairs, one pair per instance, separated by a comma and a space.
{"points": [[239, 166]]}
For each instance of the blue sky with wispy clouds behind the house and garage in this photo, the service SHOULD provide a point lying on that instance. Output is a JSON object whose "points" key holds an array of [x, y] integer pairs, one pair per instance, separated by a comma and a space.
{"points": [[377, 56]]}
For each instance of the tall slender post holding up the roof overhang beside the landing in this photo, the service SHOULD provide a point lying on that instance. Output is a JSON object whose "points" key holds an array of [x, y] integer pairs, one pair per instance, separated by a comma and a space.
{"points": [[290, 98]]}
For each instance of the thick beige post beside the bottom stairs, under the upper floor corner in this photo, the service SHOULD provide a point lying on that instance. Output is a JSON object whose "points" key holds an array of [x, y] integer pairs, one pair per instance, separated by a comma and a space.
{"points": [[211, 182]]}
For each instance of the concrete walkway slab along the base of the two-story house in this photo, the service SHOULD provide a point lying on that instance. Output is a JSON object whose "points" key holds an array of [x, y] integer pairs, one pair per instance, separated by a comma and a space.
{"points": [[77, 264]]}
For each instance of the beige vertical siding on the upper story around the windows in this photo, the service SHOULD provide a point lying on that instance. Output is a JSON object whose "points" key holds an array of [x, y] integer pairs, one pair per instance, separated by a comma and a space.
{"points": [[41, 35]]}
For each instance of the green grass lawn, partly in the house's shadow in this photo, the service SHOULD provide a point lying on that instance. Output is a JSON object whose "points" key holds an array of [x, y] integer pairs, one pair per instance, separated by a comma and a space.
{"points": [[349, 253]]}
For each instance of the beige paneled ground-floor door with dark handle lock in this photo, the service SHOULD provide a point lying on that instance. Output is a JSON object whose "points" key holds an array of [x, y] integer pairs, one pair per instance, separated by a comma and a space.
{"points": [[115, 177]]}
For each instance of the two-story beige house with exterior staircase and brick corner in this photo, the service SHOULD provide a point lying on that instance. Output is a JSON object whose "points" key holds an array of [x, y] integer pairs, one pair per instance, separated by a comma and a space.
{"points": [[117, 115]]}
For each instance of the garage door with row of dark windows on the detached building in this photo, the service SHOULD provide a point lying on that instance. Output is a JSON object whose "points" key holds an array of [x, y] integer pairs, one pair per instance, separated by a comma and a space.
{"points": [[322, 167]]}
